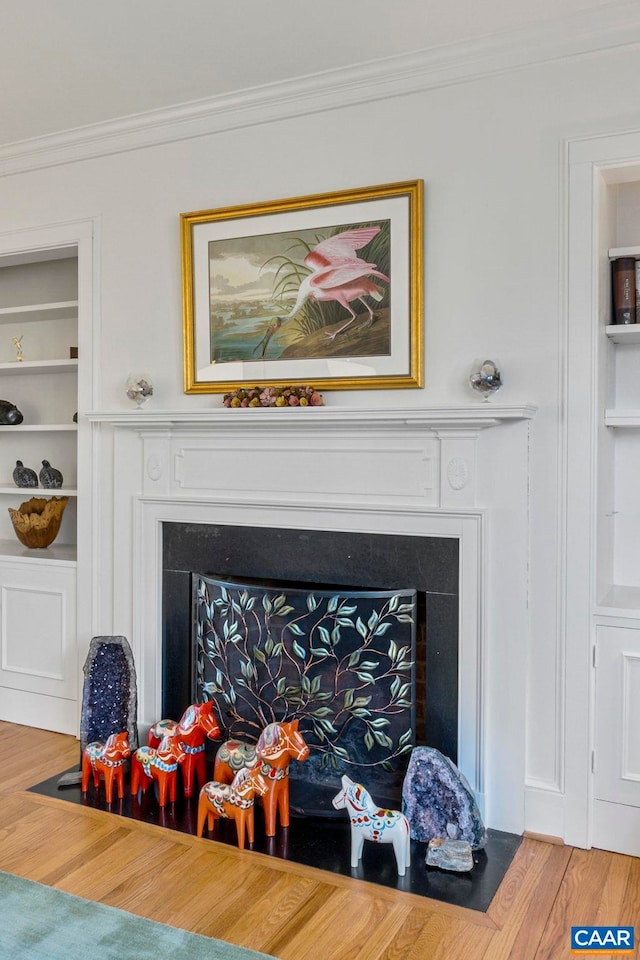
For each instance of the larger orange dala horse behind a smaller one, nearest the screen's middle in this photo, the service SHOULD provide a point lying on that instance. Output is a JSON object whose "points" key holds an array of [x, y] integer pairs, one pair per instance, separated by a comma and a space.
{"points": [[278, 743]]}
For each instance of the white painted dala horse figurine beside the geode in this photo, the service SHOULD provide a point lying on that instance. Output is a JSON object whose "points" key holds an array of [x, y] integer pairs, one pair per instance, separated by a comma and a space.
{"points": [[370, 822]]}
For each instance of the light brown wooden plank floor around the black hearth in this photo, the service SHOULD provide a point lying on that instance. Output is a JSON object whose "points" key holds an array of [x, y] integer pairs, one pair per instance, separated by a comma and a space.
{"points": [[291, 911]]}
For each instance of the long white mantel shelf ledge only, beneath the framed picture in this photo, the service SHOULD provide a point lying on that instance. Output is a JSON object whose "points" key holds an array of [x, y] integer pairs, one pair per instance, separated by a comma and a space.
{"points": [[474, 416]]}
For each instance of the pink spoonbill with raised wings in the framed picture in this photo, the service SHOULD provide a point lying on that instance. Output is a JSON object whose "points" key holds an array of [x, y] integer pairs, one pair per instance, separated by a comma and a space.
{"points": [[337, 274]]}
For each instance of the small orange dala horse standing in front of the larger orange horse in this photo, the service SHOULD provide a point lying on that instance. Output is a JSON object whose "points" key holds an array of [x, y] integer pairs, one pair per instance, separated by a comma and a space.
{"points": [[232, 801]]}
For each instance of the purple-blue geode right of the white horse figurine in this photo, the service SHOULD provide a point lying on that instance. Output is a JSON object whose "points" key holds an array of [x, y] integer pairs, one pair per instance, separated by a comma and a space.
{"points": [[438, 801]]}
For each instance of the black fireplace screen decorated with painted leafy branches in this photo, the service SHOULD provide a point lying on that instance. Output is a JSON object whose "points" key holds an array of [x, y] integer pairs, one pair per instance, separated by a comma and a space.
{"points": [[342, 661]]}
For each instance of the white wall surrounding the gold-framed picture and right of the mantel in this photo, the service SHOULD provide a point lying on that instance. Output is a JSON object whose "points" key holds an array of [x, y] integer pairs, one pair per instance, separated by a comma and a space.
{"points": [[491, 155]]}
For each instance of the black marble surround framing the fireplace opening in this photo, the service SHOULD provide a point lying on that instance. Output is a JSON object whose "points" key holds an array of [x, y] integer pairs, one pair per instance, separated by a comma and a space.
{"points": [[317, 557]]}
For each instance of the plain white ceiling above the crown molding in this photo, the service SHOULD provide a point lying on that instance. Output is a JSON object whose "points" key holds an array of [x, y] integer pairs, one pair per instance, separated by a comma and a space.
{"points": [[68, 63]]}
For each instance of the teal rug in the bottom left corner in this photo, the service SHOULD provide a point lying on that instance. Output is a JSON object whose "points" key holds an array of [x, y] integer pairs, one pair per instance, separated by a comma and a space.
{"points": [[40, 923]]}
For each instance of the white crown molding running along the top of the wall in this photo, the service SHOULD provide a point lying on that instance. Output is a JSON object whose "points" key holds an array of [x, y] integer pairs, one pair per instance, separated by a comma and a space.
{"points": [[592, 32]]}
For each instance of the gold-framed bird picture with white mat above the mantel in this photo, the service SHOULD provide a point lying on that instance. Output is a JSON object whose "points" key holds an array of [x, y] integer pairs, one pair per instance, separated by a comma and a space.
{"points": [[325, 289]]}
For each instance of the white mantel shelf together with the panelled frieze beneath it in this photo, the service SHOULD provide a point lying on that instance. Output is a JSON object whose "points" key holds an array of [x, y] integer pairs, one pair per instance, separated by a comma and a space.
{"points": [[423, 455]]}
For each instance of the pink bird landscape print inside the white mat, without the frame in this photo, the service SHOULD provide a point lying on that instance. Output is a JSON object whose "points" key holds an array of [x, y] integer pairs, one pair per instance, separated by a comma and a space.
{"points": [[313, 293]]}
